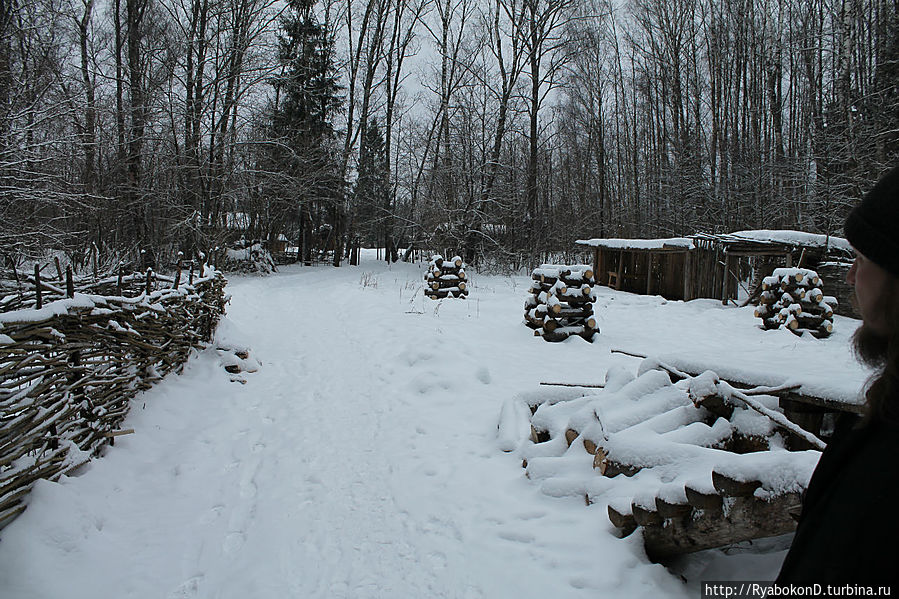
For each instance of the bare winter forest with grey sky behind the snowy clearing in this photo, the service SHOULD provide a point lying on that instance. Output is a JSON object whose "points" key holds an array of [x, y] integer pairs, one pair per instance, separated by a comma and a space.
{"points": [[499, 128]]}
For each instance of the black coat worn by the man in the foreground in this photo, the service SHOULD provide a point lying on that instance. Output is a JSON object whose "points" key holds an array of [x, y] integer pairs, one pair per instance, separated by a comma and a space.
{"points": [[849, 528]]}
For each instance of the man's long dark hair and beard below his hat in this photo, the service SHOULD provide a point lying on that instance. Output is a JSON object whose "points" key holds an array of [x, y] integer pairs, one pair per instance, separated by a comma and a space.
{"points": [[881, 352]]}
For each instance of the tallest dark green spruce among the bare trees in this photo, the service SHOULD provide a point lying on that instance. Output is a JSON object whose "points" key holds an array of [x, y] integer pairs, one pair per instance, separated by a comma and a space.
{"points": [[305, 160]]}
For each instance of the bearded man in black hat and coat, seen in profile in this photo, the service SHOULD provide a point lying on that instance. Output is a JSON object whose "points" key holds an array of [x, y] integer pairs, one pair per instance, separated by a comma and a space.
{"points": [[848, 532]]}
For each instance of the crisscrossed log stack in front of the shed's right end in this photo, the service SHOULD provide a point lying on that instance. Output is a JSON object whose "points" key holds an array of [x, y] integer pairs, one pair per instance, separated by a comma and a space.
{"points": [[792, 297]]}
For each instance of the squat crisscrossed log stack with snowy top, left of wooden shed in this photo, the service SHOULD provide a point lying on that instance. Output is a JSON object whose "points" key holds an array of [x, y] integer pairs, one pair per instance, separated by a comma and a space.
{"points": [[561, 302]]}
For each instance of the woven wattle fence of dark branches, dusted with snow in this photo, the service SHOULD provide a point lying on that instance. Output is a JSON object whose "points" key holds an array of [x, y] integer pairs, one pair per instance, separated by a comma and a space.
{"points": [[71, 361]]}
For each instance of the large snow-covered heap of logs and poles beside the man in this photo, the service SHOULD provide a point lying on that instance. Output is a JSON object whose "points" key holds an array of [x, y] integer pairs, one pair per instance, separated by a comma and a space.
{"points": [[696, 463]]}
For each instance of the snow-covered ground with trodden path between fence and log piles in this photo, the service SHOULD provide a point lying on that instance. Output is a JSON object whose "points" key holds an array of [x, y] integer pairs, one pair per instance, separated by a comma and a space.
{"points": [[361, 459]]}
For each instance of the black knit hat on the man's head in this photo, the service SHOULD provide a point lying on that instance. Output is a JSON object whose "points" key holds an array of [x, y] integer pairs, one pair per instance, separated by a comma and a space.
{"points": [[873, 226]]}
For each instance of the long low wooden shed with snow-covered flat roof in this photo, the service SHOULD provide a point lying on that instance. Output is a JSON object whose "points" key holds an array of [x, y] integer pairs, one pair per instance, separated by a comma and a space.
{"points": [[707, 265]]}
